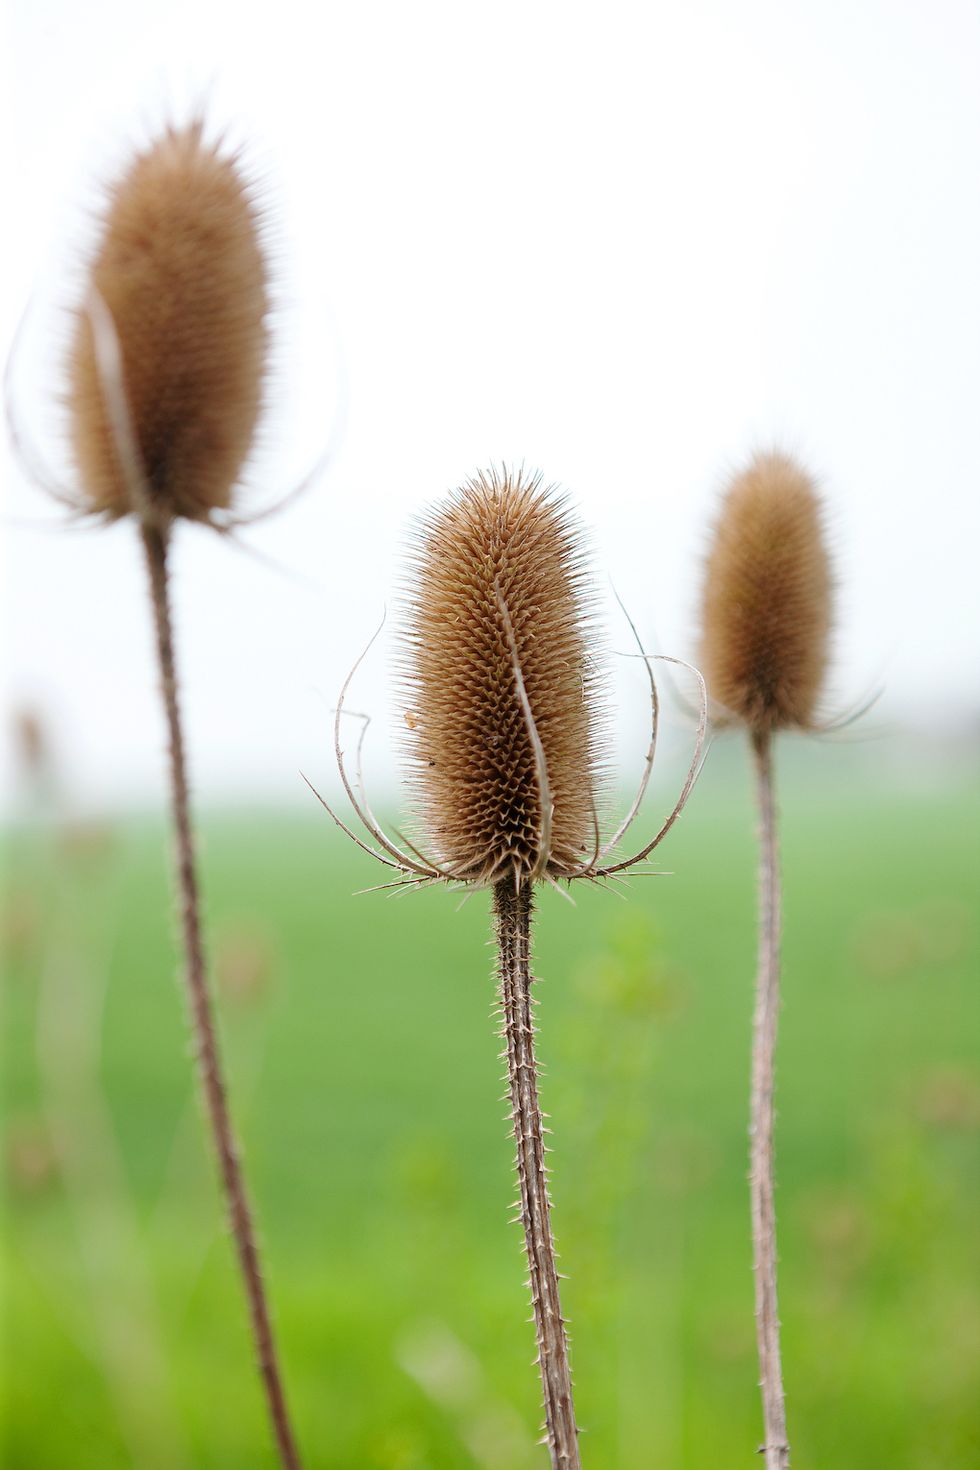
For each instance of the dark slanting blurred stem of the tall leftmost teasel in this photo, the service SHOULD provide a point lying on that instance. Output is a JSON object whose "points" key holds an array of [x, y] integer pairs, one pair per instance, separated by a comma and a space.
{"points": [[156, 543]]}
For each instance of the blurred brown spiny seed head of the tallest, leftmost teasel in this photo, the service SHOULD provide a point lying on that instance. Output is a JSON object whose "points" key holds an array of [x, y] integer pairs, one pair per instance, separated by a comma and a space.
{"points": [[183, 276]]}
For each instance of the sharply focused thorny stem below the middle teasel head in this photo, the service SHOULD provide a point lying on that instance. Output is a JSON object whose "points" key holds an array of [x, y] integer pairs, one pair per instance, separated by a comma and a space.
{"points": [[512, 911]]}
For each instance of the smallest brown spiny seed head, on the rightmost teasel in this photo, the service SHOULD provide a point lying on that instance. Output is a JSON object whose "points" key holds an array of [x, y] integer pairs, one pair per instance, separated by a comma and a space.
{"points": [[768, 596]]}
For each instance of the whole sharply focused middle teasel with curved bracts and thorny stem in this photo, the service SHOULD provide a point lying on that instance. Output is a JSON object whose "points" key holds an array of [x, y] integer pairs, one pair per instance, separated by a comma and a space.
{"points": [[503, 702]]}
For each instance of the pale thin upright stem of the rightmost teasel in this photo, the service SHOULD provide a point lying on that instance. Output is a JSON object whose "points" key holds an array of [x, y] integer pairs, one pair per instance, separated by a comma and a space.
{"points": [[762, 1155]]}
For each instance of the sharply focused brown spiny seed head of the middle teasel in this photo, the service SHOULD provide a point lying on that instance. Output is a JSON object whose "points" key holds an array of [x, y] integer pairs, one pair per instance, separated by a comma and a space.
{"points": [[502, 551]]}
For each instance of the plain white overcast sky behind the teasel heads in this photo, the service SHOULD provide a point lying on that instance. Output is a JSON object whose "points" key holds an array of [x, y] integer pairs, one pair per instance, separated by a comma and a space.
{"points": [[622, 243]]}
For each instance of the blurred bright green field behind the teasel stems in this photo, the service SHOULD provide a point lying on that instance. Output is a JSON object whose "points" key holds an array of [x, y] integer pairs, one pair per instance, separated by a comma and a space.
{"points": [[367, 1086]]}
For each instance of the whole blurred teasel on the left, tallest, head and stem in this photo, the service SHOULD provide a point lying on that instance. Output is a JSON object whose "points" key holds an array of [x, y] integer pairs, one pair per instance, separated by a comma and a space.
{"points": [[165, 386]]}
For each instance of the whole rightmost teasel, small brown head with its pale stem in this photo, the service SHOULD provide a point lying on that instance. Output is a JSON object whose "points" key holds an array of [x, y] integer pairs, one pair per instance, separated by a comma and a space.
{"points": [[766, 624]]}
